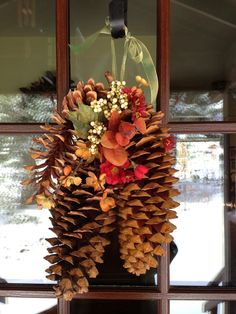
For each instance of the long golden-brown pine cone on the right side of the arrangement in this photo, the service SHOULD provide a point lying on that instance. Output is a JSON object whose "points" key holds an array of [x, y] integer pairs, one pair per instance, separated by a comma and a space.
{"points": [[145, 206]]}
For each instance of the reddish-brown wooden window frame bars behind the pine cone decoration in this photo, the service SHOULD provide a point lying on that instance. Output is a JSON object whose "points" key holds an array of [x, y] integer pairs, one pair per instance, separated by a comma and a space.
{"points": [[164, 292]]}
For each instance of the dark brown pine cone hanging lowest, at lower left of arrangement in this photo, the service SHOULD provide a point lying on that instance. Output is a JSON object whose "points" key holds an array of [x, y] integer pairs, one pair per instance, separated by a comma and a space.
{"points": [[81, 231]]}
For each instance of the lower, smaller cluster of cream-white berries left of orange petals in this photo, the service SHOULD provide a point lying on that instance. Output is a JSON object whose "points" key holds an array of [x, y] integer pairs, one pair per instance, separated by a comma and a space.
{"points": [[95, 133]]}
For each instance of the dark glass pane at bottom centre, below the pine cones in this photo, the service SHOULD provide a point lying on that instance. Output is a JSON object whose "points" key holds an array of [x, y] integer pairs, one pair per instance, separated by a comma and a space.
{"points": [[113, 306]]}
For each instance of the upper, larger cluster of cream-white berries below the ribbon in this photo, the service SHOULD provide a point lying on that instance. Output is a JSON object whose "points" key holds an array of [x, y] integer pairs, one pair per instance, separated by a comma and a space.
{"points": [[116, 100]]}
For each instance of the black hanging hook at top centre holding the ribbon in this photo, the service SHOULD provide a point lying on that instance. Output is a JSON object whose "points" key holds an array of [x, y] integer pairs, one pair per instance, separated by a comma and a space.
{"points": [[118, 17]]}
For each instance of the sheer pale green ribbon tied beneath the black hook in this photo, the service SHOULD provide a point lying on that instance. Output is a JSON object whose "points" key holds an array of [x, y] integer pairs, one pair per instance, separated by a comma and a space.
{"points": [[133, 48]]}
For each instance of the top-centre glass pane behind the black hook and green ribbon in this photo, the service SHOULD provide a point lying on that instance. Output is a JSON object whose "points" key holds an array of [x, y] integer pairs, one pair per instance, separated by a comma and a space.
{"points": [[95, 60]]}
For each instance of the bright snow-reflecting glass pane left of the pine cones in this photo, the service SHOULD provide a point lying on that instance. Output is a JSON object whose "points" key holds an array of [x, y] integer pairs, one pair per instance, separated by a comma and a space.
{"points": [[23, 228]]}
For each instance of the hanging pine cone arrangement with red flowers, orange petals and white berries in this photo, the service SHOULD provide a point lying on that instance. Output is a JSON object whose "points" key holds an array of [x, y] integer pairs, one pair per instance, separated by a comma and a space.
{"points": [[106, 164]]}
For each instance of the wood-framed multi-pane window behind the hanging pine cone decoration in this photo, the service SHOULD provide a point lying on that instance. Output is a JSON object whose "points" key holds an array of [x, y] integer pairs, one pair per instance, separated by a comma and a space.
{"points": [[194, 47]]}
